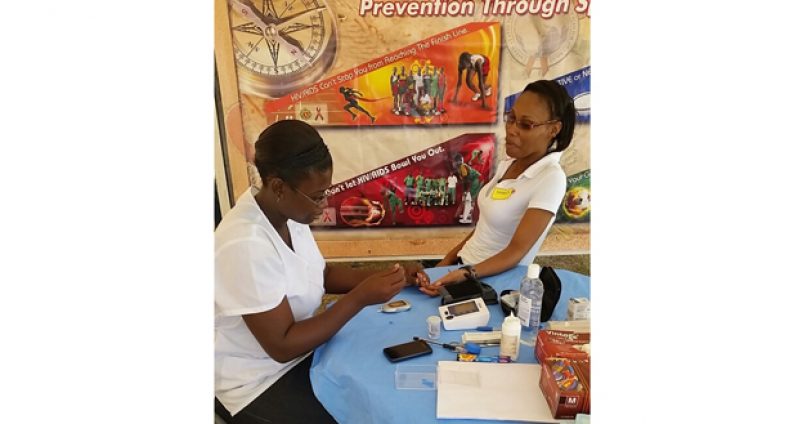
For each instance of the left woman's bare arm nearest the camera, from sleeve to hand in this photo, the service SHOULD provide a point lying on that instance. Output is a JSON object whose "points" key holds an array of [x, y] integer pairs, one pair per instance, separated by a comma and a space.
{"points": [[284, 339]]}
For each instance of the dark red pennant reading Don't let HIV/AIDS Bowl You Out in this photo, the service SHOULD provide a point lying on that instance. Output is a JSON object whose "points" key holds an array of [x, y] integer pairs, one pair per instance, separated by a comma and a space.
{"points": [[437, 186]]}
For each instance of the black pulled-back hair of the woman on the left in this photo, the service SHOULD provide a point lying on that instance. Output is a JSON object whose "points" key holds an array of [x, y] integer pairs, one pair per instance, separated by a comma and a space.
{"points": [[290, 149]]}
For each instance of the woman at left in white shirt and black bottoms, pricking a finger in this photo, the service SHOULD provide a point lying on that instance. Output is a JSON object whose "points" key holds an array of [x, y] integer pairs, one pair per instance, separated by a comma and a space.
{"points": [[270, 277]]}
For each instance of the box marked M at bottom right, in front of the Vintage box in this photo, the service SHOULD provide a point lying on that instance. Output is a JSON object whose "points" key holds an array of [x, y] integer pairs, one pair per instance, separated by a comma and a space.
{"points": [[563, 387]]}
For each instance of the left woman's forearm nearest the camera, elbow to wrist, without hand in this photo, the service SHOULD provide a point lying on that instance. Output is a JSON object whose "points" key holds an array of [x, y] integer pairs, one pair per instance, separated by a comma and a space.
{"points": [[306, 335]]}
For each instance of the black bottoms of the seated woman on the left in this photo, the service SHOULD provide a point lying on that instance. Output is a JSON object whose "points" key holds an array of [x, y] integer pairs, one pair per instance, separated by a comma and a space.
{"points": [[289, 400]]}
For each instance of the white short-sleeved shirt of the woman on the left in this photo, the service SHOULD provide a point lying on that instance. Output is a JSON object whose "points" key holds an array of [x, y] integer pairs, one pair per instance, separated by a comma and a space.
{"points": [[255, 270]]}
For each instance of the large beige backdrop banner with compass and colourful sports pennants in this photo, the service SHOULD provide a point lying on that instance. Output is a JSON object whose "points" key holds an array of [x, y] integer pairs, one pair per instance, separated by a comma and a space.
{"points": [[384, 81]]}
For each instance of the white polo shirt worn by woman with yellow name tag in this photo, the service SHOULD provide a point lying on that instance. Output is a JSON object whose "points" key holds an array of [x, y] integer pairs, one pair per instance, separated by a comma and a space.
{"points": [[540, 186]]}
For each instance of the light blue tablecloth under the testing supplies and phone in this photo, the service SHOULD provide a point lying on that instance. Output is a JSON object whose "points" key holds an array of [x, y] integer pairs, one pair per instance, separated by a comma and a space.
{"points": [[355, 382]]}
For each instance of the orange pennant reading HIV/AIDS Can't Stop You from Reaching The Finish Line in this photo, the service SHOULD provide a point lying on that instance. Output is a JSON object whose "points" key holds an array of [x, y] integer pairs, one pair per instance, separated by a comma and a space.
{"points": [[449, 77]]}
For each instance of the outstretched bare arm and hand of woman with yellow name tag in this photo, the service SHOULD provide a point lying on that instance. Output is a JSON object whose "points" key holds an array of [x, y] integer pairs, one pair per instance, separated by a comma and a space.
{"points": [[529, 230]]}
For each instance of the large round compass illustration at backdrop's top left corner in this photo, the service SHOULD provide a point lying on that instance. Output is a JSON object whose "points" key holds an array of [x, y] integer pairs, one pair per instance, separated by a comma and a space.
{"points": [[282, 45]]}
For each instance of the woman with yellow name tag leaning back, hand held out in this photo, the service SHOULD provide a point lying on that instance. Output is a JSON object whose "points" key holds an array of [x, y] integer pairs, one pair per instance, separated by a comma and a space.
{"points": [[517, 207]]}
